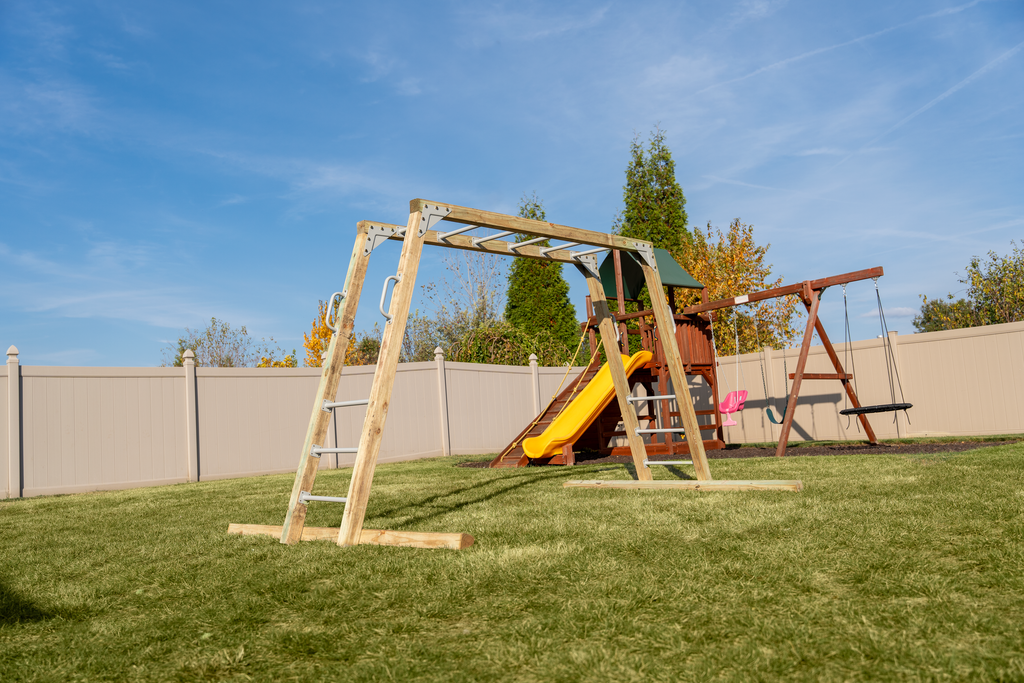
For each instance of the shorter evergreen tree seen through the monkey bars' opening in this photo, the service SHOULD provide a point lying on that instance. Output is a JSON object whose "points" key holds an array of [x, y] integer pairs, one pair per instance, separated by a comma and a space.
{"points": [[539, 297]]}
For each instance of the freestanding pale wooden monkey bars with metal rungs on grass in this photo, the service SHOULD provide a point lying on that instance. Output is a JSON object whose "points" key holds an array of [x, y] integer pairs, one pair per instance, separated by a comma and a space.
{"points": [[447, 226]]}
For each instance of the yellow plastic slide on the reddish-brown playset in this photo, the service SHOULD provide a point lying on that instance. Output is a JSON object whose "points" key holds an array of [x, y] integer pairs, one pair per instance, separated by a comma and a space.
{"points": [[575, 419]]}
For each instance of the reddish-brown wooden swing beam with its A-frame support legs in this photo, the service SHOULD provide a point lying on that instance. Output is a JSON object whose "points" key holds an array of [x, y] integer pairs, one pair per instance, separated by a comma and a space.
{"points": [[810, 295]]}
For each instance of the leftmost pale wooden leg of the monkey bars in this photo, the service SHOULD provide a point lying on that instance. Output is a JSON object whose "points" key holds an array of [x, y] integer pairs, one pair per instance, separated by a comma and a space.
{"points": [[320, 420]]}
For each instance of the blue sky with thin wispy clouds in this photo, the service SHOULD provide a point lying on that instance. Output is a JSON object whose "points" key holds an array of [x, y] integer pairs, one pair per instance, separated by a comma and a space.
{"points": [[163, 163]]}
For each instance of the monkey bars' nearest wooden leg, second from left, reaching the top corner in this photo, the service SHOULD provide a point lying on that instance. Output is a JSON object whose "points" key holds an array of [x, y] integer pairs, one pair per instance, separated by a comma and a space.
{"points": [[380, 394]]}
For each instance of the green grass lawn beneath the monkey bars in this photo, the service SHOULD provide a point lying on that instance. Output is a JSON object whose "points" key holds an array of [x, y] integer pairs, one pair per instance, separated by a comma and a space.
{"points": [[884, 568]]}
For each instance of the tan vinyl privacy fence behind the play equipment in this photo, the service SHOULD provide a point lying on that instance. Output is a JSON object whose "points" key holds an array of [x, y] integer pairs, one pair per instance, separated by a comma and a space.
{"points": [[78, 430]]}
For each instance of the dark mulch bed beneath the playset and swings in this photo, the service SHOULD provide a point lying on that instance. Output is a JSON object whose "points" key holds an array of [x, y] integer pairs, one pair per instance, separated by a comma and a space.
{"points": [[833, 450]]}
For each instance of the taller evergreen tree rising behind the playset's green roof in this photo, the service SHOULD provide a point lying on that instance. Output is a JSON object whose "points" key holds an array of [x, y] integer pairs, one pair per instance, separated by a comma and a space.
{"points": [[655, 205]]}
